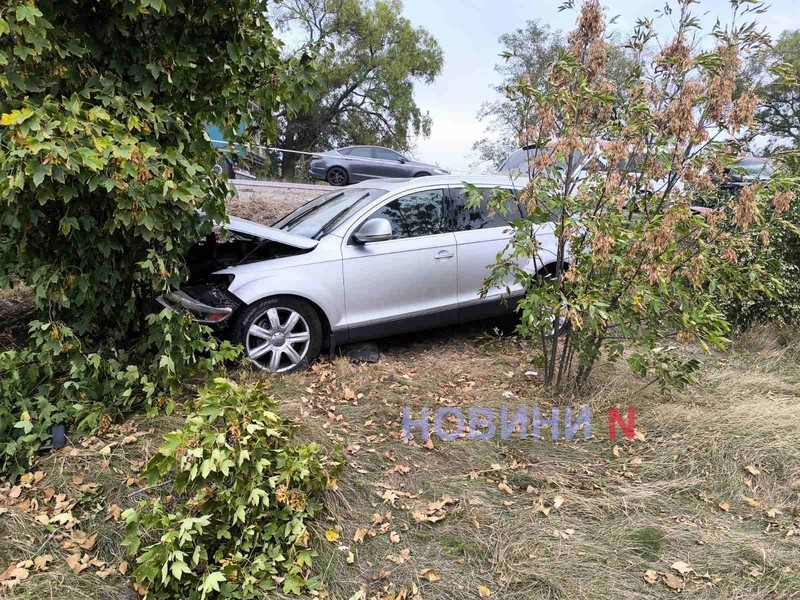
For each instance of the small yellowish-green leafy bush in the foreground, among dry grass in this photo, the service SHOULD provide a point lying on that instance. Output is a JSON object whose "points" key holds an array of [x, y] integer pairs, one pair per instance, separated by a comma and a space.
{"points": [[244, 493]]}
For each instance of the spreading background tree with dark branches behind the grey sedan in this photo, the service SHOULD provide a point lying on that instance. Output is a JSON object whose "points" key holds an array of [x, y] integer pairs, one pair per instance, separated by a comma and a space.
{"points": [[370, 56]]}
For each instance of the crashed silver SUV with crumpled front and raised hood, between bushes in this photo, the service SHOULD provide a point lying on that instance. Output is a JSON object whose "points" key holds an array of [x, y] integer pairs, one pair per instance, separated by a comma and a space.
{"points": [[375, 259]]}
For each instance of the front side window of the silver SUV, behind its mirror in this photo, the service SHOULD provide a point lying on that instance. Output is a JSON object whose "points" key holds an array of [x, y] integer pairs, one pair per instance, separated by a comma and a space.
{"points": [[415, 215]]}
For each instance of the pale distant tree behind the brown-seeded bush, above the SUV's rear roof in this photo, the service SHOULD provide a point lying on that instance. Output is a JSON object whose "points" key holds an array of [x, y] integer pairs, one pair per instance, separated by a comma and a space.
{"points": [[528, 53]]}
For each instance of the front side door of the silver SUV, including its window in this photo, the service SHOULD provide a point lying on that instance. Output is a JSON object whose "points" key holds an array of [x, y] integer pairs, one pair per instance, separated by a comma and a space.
{"points": [[408, 282]]}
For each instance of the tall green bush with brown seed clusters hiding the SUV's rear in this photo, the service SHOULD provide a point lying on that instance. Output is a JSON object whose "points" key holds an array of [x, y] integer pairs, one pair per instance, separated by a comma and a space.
{"points": [[615, 172]]}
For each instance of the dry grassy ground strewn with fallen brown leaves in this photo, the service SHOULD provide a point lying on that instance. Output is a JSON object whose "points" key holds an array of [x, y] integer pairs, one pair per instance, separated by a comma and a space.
{"points": [[704, 501]]}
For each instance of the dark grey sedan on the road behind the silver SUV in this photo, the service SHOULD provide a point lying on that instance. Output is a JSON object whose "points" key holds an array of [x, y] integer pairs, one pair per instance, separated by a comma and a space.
{"points": [[359, 163]]}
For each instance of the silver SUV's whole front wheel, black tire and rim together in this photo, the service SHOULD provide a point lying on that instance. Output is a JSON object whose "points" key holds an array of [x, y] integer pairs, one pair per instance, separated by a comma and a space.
{"points": [[265, 339]]}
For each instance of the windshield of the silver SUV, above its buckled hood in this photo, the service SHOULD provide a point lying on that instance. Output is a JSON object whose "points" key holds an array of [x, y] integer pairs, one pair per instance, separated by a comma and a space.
{"points": [[323, 214]]}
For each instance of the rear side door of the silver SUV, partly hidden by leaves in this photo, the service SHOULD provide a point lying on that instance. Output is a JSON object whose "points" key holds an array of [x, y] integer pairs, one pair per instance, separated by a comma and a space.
{"points": [[480, 237]]}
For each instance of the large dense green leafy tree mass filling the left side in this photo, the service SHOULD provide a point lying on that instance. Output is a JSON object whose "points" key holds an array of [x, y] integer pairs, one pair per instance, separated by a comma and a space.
{"points": [[104, 169]]}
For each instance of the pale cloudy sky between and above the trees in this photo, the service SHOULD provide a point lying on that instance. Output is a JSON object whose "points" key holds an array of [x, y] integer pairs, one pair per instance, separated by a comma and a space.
{"points": [[467, 31]]}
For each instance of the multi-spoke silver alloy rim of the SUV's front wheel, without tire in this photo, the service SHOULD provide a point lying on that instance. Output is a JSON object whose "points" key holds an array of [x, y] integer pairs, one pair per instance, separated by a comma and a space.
{"points": [[278, 339]]}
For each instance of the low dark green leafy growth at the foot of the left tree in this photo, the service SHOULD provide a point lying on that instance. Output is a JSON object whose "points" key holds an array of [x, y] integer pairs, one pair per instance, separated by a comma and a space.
{"points": [[57, 380]]}
